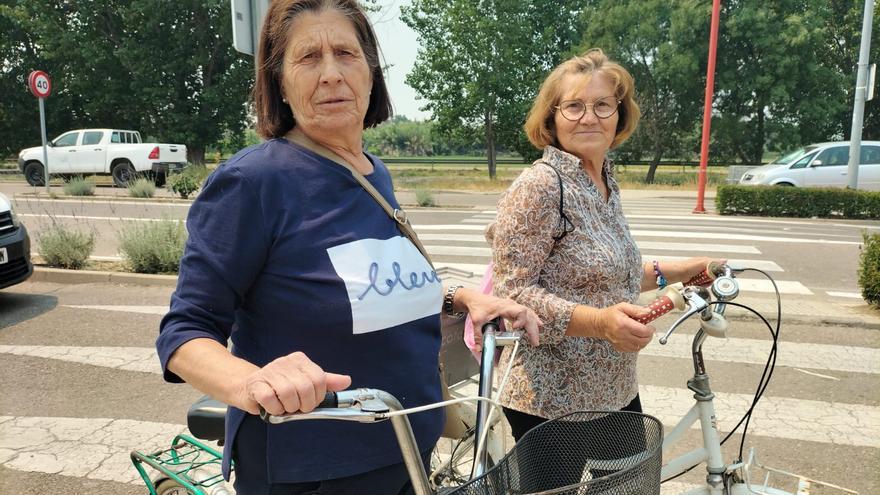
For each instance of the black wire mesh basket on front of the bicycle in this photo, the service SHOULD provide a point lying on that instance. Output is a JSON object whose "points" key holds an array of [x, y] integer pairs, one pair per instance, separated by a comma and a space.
{"points": [[612, 453]]}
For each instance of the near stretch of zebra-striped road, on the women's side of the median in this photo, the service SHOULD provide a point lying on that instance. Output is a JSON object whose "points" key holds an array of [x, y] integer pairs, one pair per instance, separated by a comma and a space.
{"points": [[77, 397]]}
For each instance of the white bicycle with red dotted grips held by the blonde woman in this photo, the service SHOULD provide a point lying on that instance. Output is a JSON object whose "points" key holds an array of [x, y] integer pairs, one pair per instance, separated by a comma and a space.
{"points": [[722, 478]]}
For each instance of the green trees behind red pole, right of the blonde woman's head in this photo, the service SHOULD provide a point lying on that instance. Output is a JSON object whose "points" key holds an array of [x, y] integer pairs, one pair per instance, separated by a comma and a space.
{"points": [[784, 77]]}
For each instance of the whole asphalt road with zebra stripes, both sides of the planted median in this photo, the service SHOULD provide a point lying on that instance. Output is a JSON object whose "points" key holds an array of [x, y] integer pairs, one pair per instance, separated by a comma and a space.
{"points": [[81, 388]]}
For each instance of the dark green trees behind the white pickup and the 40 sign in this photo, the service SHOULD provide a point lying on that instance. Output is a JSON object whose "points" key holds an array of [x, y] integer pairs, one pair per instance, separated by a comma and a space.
{"points": [[167, 69]]}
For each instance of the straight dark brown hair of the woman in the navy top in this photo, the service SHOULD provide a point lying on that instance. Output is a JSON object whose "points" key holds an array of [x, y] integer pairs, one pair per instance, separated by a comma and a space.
{"points": [[274, 117]]}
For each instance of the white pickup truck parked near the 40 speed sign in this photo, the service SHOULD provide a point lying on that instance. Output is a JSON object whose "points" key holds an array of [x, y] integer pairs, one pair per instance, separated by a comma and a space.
{"points": [[116, 152]]}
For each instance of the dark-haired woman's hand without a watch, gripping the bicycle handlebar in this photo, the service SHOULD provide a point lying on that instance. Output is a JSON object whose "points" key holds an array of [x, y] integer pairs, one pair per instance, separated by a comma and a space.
{"points": [[290, 384]]}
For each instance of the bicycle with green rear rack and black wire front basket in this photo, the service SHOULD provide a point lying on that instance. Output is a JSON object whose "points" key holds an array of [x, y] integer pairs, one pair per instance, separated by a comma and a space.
{"points": [[530, 467]]}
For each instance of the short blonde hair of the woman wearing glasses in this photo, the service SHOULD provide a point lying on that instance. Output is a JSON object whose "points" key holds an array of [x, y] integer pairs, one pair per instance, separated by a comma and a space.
{"points": [[540, 127]]}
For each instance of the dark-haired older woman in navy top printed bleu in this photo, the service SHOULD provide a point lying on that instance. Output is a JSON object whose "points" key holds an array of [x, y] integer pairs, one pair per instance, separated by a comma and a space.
{"points": [[294, 260]]}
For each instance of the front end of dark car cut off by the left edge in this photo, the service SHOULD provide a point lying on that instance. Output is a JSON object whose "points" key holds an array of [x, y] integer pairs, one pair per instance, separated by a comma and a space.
{"points": [[15, 247]]}
